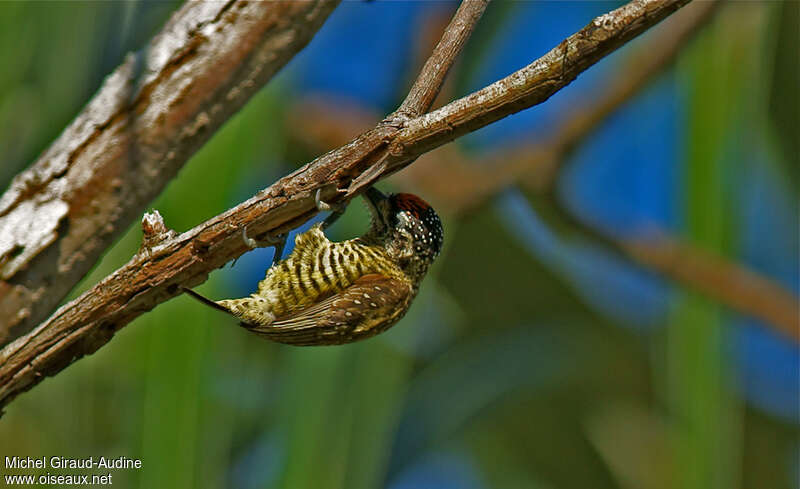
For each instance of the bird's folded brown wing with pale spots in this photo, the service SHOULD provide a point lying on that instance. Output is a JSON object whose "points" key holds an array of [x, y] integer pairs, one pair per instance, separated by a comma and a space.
{"points": [[368, 306]]}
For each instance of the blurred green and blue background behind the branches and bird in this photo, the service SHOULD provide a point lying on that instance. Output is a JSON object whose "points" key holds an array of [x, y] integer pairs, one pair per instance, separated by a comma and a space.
{"points": [[535, 356]]}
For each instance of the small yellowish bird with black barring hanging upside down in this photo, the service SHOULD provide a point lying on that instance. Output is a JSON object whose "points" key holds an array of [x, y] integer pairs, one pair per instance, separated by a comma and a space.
{"points": [[327, 293]]}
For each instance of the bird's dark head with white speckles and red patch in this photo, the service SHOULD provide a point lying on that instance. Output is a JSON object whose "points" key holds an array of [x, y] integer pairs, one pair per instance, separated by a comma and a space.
{"points": [[407, 227]]}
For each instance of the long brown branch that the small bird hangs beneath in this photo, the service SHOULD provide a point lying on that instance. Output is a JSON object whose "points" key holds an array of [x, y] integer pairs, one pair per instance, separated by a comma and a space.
{"points": [[155, 274]]}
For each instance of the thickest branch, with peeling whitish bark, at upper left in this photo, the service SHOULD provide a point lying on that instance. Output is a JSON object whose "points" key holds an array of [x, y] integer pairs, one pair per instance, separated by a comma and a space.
{"points": [[143, 124]]}
